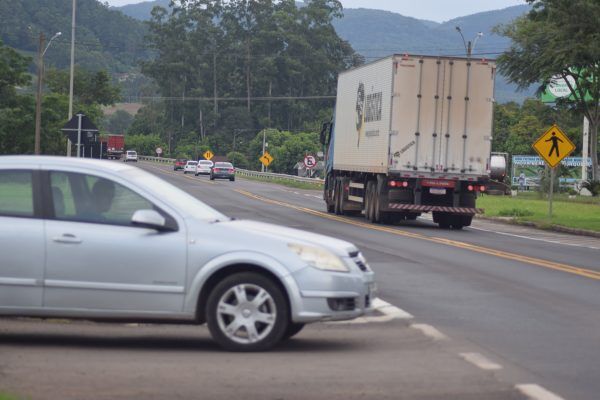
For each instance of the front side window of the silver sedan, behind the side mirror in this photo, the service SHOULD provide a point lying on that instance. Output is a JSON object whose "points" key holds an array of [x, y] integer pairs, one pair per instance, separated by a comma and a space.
{"points": [[89, 198]]}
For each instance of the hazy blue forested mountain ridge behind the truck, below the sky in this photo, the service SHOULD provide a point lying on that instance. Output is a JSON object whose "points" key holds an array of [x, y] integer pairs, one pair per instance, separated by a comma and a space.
{"points": [[377, 33]]}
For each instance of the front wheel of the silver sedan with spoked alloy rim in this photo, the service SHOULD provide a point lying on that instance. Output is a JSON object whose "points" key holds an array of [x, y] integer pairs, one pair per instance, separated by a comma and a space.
{"points": [[247, 312]]}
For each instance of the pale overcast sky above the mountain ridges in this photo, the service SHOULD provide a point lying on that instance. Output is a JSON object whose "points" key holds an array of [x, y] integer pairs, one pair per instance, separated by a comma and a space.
{"points": [[434, 10]]}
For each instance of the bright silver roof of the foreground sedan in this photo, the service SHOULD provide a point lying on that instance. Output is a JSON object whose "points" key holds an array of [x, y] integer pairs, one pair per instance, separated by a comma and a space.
{"points": [[100, 165]]}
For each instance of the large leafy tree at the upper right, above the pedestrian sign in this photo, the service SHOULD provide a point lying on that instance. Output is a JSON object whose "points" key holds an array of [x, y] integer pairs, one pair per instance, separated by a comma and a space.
{"points": [[559, 38]]}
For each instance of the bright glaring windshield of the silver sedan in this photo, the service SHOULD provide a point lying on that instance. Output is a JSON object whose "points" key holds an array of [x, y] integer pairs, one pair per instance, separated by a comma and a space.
{"points": [[174, 196]]}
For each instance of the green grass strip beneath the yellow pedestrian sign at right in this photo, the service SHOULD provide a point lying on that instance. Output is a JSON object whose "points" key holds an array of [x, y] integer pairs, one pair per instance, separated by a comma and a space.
{"points": [[576, 212]]}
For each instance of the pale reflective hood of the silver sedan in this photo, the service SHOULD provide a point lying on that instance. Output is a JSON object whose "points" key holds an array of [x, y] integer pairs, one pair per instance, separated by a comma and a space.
{"points": [[290, 235]]}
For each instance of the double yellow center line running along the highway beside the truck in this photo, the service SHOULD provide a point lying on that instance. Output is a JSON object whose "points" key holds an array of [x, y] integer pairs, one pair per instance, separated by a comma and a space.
{"points": [[467, 246]]}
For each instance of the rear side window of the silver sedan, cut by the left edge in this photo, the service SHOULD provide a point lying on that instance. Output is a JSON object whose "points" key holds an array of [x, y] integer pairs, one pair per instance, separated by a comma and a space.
{"points": [[16, 193]]}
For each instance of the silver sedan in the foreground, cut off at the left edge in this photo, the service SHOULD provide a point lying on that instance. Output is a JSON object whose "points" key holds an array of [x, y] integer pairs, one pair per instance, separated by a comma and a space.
{"points": [[101, 240]]}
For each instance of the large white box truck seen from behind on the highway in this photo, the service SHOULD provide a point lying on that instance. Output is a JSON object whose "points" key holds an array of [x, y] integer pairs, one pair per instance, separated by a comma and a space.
{"points": [[411, 134]]}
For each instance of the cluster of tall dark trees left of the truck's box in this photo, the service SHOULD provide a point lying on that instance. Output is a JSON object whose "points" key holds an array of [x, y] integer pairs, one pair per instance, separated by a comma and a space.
{"points": [[222, 68]]}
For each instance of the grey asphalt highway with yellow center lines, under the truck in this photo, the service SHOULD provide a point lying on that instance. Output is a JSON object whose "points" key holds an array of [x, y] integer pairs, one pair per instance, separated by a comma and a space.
{"points": [[528, 300]]}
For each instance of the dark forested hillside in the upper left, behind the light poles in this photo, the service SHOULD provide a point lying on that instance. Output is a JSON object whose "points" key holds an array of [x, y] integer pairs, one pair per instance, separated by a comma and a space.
{"points": [[106, 39]]}
